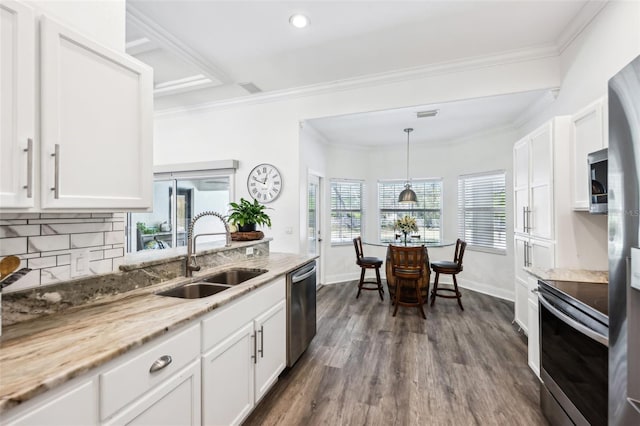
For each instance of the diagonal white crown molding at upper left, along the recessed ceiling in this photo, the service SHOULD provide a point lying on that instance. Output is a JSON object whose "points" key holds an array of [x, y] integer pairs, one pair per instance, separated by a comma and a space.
{"points": [[168, 41]]}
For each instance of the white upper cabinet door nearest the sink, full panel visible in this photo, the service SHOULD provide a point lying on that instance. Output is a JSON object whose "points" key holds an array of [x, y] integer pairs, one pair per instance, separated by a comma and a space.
{"points": [[96, 124]]}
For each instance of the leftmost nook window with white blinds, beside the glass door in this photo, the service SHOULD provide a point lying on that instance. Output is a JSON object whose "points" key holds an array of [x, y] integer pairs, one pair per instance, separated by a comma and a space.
{"points": [[346, 210]]}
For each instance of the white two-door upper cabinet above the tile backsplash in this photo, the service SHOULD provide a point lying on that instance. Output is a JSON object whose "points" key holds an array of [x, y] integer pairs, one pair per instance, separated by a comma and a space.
{"points": [[83, 142]]}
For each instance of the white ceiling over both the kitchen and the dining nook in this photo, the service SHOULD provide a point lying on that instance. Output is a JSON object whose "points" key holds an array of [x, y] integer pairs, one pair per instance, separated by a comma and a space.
{"points": [[210, 51]]}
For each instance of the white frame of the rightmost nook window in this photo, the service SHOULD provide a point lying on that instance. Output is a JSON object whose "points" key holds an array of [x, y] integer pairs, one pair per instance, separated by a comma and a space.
{"points": [[462, 180]]}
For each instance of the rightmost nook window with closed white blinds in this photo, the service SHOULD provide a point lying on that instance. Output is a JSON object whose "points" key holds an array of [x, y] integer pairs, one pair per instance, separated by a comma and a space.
{"points": [[482, 211]]}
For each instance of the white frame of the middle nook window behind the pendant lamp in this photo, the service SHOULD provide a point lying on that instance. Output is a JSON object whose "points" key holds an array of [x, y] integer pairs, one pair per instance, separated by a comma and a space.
{"points": [[400, 183]]}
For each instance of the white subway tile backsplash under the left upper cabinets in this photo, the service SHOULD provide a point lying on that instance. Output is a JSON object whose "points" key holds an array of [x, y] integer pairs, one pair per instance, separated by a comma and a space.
{"points": [[45, 242]]}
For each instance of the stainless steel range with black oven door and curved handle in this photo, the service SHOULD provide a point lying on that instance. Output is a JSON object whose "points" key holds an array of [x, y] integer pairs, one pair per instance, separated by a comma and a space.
{"points": [[574, 353]]}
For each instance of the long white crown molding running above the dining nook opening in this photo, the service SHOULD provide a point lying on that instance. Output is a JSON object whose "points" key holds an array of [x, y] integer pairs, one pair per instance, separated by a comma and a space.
{"points": [[510, 57]]}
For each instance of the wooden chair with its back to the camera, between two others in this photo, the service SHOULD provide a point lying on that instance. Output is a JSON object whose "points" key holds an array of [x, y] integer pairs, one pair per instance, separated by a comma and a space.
{"points": [[407, 268]]}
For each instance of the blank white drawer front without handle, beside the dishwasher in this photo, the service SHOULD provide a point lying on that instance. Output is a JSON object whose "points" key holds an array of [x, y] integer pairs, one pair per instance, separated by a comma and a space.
{"points": [[221, 323]]}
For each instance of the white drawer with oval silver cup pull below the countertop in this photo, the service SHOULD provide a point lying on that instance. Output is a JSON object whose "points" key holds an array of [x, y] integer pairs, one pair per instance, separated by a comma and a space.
{"points": [[132, 376]]}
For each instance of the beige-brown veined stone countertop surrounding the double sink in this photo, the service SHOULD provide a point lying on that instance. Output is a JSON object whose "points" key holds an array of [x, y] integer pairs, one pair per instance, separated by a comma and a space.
{"points": [[39, 355]]}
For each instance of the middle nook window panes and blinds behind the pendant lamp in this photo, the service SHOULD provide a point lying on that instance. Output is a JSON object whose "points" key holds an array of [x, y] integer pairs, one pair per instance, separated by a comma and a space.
{"points": [[427, 211]]}
